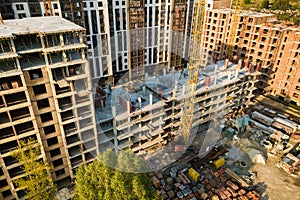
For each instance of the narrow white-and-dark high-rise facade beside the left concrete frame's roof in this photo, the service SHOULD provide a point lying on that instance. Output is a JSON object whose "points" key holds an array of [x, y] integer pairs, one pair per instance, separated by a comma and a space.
{"points": [[98, 38]]}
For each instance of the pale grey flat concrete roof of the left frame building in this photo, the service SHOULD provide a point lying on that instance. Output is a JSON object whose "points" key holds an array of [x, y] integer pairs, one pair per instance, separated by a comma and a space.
{"points": [[31, 25]]}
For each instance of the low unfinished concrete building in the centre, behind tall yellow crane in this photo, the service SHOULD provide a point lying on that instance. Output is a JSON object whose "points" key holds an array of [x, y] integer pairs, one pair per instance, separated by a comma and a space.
{"points": [[142, 115]]}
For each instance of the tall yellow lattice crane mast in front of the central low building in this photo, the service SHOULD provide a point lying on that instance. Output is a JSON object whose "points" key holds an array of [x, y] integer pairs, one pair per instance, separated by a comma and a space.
{"points": [[194, 63]]}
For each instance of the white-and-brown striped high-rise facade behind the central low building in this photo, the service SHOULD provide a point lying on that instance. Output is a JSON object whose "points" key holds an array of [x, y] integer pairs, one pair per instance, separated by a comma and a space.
{"points": [[146, 34]]}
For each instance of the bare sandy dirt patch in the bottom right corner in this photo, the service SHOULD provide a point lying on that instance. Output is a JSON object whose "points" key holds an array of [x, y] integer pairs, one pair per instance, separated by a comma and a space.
{"points": [[278, 184]]}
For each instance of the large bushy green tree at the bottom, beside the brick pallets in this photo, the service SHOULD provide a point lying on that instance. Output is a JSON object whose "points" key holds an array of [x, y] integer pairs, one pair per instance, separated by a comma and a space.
{"points": [[98, 180]]}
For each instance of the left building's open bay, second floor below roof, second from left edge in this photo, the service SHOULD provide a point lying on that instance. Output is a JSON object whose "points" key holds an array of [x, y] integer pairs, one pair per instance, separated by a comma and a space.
{"points": [[31, 60]]}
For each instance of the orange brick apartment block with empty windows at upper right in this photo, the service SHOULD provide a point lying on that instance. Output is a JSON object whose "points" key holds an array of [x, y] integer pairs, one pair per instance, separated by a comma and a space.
{"points": [[263, 42]]}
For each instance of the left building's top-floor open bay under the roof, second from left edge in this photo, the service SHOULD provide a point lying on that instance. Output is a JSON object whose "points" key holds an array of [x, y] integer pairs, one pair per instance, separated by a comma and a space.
{"points": [[28, 43]]}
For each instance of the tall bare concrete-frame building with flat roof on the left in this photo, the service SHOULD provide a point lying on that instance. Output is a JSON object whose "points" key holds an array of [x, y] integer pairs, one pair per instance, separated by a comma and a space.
{"points": [[44, 84]]}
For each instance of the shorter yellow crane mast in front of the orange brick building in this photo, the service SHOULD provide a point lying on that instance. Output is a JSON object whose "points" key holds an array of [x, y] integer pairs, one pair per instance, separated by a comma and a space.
{"points": [[234, 26]]}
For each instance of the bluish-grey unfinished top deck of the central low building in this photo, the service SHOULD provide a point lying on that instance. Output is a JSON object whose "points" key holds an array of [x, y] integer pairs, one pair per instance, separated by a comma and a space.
{"points": [[163, 86]]}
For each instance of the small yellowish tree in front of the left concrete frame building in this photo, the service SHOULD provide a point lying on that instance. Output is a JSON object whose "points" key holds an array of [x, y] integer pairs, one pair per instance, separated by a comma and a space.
{"points": [[38, 183]]}
